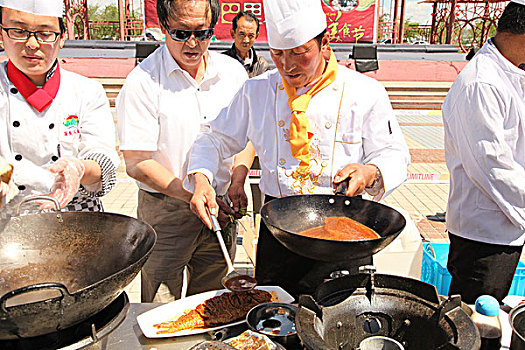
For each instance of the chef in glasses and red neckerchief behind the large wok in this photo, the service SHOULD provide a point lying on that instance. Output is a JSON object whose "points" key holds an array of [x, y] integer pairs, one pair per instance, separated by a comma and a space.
{"points": [[56, 127]]}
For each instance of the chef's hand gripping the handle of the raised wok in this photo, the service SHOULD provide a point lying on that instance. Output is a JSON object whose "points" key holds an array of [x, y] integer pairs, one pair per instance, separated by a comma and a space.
{"points": [[361, 176]]}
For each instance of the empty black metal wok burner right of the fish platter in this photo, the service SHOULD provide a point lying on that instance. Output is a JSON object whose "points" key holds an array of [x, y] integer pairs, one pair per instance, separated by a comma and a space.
{"points": [[346, 311]]}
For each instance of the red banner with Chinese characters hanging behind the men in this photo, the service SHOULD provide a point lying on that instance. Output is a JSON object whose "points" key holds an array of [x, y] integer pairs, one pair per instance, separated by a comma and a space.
{"points": [[349, 21]]}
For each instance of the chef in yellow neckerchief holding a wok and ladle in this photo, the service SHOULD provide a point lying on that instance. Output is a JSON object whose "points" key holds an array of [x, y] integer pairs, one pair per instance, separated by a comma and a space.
{"points": [[313, 123]]}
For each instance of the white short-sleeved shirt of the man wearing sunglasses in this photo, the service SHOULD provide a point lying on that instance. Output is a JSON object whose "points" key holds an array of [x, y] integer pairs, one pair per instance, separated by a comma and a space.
{"points": [[162, 109]]}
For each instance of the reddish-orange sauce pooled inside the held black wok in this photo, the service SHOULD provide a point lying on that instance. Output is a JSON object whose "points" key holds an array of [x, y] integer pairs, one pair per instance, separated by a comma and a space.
{"points": [[340, 228]]}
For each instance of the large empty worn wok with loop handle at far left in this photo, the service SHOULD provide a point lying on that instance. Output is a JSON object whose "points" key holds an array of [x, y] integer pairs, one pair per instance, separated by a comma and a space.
{"points": [[57, 269]]}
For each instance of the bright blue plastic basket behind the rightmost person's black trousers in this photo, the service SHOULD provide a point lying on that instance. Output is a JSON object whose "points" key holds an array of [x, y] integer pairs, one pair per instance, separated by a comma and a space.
{"points": [[434, 270]]}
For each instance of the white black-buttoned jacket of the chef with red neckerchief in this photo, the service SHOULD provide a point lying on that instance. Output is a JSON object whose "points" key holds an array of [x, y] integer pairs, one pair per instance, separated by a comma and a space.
{"points": [[32, 141]]}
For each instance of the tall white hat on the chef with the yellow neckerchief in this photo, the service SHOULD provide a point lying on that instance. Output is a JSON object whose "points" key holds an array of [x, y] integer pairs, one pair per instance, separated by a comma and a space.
{"points": [[291, 23]]}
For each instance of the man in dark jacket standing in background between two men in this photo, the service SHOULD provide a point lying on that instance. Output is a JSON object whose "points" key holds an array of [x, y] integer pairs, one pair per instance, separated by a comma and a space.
{"points": [[244, 32]]}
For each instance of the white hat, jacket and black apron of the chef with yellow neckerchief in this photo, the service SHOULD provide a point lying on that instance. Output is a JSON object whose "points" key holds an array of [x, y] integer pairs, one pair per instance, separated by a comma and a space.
{"points": [[351, 119]]}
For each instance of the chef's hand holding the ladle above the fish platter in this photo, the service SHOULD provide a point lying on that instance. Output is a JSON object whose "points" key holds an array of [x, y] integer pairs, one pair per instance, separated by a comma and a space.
{"points": [[203, 196]]}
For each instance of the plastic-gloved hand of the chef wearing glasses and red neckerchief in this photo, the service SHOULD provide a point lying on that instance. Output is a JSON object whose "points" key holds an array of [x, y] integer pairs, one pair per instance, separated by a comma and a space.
{"points": [[68, 173]]}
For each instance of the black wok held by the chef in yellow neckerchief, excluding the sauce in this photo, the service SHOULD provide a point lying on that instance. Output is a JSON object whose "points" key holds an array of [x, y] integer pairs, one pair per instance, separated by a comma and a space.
{"points": [[287, 216]]}
